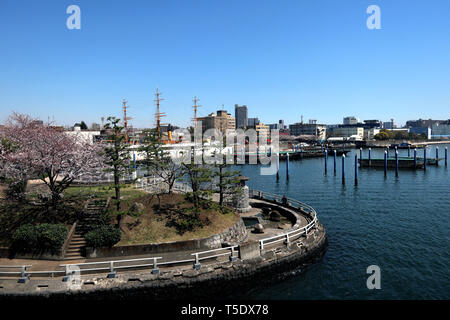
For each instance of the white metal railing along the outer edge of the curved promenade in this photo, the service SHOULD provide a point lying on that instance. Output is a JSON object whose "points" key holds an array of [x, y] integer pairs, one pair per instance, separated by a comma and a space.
{"points": [[112, 266]]}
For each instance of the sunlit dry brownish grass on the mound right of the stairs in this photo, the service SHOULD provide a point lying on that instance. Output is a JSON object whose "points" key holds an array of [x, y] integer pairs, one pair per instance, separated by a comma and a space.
{"points": [[154, 224]]}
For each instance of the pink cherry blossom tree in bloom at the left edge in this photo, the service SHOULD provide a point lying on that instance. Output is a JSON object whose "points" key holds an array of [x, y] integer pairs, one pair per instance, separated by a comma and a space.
{"points": [[32, 150]]}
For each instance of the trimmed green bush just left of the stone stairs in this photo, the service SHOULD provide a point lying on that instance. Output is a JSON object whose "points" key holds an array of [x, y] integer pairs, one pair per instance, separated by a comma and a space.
{"points": [[42, 237]]}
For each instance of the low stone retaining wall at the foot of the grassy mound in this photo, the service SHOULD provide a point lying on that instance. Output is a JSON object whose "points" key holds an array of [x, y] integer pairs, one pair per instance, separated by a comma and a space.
{"points": [[235, 234]]}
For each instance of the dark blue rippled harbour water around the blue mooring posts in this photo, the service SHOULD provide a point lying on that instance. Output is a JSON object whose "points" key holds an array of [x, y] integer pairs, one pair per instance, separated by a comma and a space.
{"points": [[401, 224]]}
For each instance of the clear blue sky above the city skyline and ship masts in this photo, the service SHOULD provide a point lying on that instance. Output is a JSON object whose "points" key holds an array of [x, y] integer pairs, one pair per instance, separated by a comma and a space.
{"points": [[283, 59]]}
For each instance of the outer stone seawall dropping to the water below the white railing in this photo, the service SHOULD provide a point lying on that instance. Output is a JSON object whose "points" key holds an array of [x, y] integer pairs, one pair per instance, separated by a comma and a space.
{"points": [[214, 281]]}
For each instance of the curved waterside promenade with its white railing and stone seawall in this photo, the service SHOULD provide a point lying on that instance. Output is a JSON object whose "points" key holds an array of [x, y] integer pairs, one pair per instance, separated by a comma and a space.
{"points": [[258, 261]]}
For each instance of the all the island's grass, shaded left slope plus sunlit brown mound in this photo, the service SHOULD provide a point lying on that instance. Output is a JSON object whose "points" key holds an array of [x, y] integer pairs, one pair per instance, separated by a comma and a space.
{"points": [[163, 219]]}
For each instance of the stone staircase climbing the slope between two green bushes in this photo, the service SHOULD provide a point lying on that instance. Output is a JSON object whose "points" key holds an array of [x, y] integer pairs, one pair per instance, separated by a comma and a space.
{"points": [[91, 216]]}
